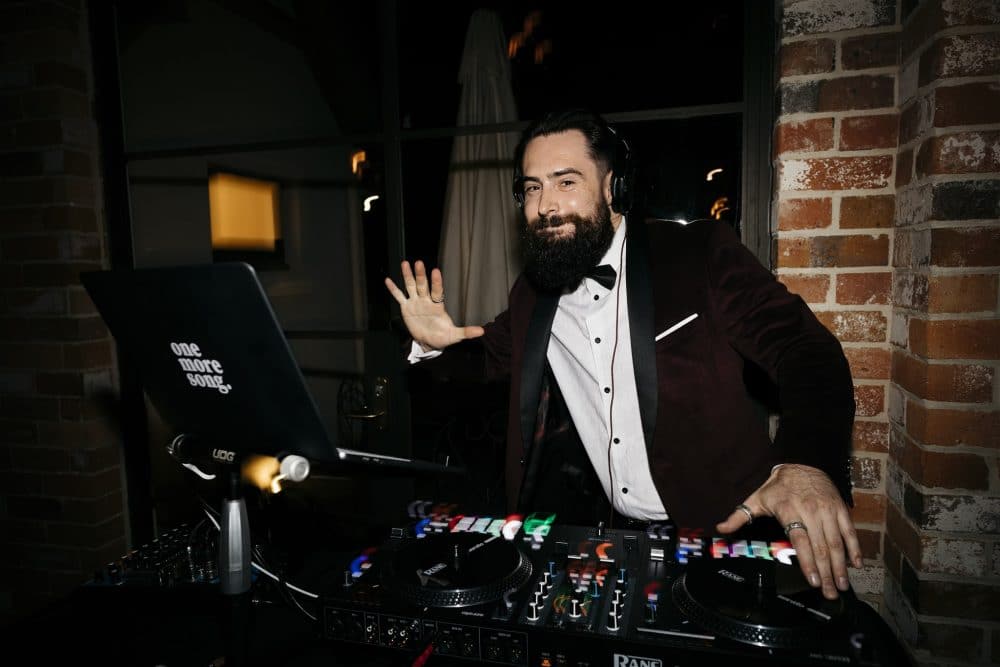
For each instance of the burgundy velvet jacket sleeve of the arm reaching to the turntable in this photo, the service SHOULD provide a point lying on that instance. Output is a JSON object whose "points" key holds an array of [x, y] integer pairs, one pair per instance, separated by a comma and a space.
{"points": [[776, 330]]}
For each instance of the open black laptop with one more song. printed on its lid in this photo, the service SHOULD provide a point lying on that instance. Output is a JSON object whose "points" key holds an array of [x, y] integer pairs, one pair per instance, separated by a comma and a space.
{"points": [[217, 366]]}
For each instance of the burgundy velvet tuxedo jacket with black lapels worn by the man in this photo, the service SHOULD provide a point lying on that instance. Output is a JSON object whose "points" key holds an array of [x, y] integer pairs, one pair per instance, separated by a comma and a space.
{"points": [[708, 444]]}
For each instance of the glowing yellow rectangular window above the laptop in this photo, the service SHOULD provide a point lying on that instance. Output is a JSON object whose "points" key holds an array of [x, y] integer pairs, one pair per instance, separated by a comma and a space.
{"points": [[244, 212]]}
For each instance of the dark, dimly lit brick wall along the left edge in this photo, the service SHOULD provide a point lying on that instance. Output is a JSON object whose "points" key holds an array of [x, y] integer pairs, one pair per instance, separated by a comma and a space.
{"points": [[60, 476]]}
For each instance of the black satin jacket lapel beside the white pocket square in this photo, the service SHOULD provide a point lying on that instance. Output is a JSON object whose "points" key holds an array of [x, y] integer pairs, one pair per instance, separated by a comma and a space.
{"points": [[641, 325]]}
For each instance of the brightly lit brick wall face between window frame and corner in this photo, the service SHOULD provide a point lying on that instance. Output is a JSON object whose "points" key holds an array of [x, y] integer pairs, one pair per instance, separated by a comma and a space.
{"points": [[835, 154]]}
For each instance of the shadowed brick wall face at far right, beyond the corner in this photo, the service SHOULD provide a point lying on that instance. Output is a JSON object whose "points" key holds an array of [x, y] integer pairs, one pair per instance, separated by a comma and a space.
{"points": [[942, 551]]}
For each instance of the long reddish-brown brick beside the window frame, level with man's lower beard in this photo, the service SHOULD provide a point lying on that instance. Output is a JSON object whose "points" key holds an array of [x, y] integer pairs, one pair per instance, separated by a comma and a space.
{"points": [[833, 251]]}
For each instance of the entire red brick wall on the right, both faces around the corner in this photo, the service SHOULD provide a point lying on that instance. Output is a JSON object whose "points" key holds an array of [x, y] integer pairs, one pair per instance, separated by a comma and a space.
{"points": [[887, 207]]}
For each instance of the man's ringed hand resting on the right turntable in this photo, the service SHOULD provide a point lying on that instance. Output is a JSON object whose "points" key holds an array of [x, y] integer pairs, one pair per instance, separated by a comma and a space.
{"points": [[815, 518]]}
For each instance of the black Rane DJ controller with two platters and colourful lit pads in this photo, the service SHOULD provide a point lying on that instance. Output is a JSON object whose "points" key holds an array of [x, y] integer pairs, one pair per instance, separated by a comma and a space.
{"points": [[528, 591]]}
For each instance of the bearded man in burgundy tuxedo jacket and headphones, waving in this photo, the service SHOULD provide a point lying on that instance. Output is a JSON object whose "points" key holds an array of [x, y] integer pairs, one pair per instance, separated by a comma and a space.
{"points": [[650, 367]]}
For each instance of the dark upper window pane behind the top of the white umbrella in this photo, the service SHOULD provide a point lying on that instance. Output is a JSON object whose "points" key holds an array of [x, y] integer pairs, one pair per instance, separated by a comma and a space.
{"points": [[627, 59]]}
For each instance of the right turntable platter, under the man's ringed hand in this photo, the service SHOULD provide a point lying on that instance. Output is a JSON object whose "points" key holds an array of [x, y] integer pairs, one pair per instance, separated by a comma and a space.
{"points": [[756, 601]]}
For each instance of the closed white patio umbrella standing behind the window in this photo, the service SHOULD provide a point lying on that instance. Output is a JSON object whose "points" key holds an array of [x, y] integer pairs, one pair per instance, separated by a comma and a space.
{"points": [[479, 254]]}
